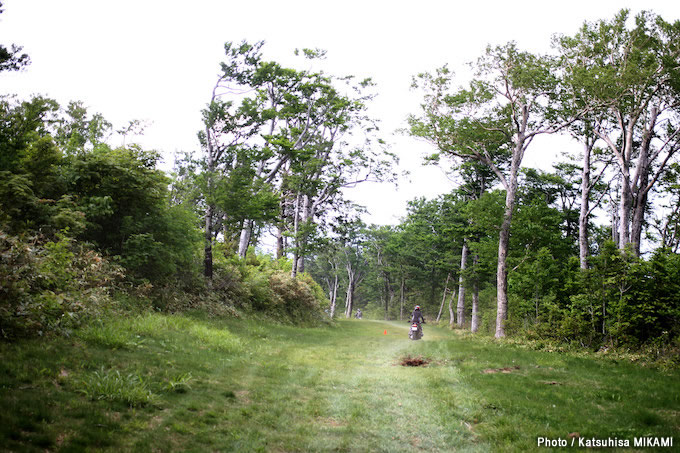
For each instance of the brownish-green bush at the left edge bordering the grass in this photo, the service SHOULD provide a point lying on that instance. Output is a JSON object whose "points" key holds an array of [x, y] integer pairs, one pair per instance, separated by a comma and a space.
{"points": [[50, 286]]}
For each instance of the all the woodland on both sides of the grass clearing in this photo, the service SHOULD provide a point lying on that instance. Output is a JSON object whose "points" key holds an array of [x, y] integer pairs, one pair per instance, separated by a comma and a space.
{"points": [[585, 254]]}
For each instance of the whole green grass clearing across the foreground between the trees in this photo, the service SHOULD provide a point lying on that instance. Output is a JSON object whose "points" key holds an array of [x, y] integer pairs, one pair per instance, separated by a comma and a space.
{"points": [[189, 383]]}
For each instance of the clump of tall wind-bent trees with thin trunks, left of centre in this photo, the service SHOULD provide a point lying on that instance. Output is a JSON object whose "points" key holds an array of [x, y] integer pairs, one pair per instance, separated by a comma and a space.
{"points": [[277, 151]]}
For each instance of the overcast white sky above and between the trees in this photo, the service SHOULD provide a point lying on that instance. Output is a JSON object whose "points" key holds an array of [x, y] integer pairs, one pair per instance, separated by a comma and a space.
{"points": [[157, 60]]}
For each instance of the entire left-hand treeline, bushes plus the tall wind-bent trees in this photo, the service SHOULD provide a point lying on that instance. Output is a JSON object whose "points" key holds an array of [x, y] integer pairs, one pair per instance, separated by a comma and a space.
{"points": [[88, 227]]}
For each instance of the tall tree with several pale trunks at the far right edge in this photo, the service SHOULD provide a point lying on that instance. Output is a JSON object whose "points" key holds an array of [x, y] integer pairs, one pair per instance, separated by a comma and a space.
{"points": [[629, 77]]}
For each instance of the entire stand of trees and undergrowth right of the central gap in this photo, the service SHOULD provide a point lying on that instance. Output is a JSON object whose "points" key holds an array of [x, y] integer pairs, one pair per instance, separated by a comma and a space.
{"points": [[586, 254]]}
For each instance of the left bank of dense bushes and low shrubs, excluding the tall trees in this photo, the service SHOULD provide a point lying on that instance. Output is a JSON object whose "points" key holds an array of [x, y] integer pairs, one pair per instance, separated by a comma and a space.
{"points": [[87, 228]]}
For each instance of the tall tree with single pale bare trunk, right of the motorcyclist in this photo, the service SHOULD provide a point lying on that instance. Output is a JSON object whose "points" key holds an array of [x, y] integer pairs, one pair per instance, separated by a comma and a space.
{"points": [[493, 122]]}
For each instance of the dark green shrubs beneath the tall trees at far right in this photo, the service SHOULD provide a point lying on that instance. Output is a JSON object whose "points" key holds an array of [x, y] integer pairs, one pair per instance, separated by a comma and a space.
{"points": [[619, 301]]}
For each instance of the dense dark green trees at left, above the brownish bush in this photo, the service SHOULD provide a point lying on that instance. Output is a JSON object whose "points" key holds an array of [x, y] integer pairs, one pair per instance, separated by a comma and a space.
{"points": [[58, 174]]}
